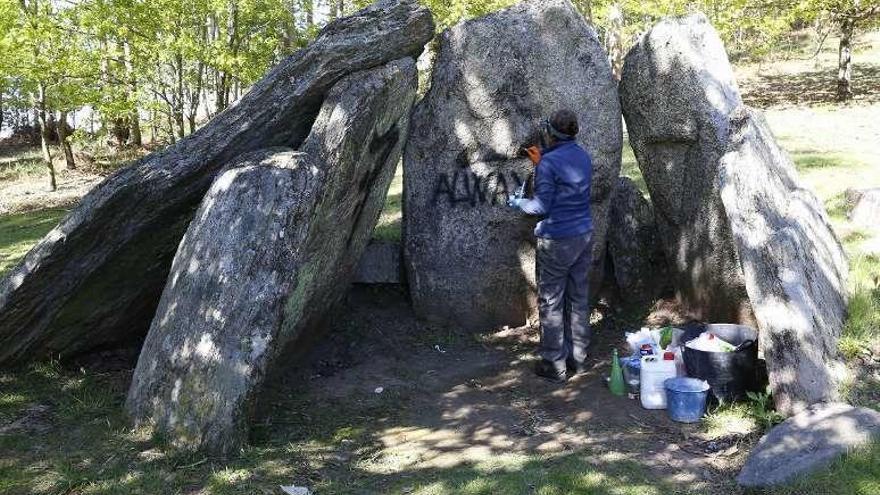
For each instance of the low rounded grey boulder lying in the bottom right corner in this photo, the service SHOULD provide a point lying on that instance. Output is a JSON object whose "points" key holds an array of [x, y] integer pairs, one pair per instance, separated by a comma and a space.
{"points": [[808, 442]]}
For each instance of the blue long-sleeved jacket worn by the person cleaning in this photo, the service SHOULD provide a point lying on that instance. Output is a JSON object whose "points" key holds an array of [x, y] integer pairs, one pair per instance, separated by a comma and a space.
{"points": [[562, 192]]}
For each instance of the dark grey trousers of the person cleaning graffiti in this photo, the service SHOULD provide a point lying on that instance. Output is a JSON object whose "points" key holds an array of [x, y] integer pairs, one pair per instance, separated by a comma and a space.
{"points": [[564, 298]]}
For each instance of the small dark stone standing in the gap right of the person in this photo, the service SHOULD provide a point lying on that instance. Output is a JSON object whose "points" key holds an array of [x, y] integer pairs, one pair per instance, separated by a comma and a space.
{"points": [[634, 249]]}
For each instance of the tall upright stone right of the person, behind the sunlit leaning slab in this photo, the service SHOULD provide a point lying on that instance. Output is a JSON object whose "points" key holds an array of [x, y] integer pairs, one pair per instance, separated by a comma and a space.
{"points": [[677, 92]]}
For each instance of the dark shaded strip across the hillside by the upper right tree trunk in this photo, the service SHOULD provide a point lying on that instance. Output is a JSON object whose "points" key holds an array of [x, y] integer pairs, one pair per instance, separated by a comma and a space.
{"points": [[811, 87]]}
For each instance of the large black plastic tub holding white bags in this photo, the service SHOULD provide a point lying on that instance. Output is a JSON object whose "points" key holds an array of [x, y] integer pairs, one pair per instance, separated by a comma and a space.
{"points": [[730, 374]]}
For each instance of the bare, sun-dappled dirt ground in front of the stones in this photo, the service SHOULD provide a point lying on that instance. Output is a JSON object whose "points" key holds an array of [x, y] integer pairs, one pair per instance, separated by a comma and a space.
{"points": [[456, 399]]}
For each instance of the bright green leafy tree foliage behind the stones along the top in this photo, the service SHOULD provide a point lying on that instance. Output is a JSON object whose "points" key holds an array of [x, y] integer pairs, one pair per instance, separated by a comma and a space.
{"points": [[118, 65]]}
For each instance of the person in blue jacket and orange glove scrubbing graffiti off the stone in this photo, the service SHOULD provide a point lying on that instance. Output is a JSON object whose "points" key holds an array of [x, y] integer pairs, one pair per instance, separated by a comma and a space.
{"points": [[564, 245]]}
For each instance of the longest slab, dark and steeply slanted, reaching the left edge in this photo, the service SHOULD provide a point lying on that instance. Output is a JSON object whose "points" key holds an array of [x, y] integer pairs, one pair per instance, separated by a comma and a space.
{"points": [[95, 280]]}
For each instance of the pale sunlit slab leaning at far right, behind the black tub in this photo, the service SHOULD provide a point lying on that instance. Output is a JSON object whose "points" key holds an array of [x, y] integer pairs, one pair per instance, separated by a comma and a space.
{"points": [[794, 268]]}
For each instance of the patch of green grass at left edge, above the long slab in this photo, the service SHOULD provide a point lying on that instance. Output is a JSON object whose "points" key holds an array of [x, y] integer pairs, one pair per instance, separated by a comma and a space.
{"points": [[19, 233]]}
